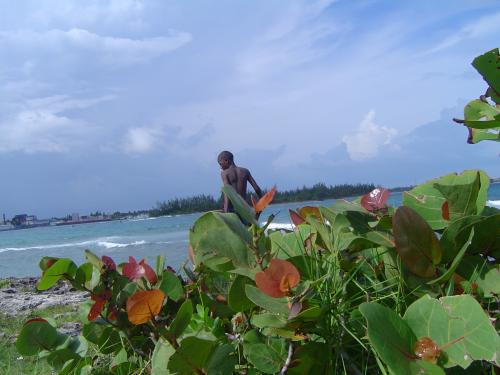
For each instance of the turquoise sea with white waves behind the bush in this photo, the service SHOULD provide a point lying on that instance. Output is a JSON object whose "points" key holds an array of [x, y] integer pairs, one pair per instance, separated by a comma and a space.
{"points": [[20, 250]]}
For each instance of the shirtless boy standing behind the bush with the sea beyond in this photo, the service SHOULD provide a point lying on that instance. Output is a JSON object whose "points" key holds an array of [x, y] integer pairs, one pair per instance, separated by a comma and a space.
{"points": [[237, 177]]}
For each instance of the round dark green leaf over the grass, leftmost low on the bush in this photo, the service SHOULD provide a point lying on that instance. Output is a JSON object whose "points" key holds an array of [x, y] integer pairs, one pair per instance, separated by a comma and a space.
{"points": [[35, 336]]}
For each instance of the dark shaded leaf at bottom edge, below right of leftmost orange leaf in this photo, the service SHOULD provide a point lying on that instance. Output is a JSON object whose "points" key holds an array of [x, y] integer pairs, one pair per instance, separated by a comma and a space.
{"points": [[192, 355]]}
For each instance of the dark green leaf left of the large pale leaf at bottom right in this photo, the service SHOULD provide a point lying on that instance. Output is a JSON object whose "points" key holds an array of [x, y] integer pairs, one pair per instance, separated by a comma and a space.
{"points": [[390, 336]]}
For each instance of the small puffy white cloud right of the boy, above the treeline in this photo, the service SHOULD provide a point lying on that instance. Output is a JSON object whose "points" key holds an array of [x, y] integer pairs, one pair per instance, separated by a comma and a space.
{"points": [[366, 142]]}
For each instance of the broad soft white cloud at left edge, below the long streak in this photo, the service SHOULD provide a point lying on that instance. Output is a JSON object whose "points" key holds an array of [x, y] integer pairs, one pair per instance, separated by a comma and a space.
{"points": [[39, 125]]}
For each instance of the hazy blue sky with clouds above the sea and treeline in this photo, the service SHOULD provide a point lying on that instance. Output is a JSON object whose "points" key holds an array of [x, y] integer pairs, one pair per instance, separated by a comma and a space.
{"points": [[114, 105]]}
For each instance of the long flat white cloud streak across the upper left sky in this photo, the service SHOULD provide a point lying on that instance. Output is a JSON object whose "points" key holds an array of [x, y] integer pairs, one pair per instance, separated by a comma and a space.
{"points": [[107, 49]]}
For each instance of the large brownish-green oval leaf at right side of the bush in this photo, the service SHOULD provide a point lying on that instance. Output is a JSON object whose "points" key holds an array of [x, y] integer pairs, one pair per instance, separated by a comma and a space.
{"points": [[416, 243]]}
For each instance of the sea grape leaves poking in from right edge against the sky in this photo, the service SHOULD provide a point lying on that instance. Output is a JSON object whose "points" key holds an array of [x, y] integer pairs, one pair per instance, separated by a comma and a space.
{"points": [[482, 116]]}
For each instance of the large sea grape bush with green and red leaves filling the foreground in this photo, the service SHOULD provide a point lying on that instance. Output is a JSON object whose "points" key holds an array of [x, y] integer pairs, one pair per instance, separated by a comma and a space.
{"points": [[357, 287]]}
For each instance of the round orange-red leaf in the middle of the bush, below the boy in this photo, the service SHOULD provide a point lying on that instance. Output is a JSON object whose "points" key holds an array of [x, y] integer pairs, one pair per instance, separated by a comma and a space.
{"points": [[278, 279]]}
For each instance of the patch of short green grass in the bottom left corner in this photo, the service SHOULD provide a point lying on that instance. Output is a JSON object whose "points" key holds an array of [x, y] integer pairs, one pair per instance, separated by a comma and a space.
{"points": [[11, 362]]}
